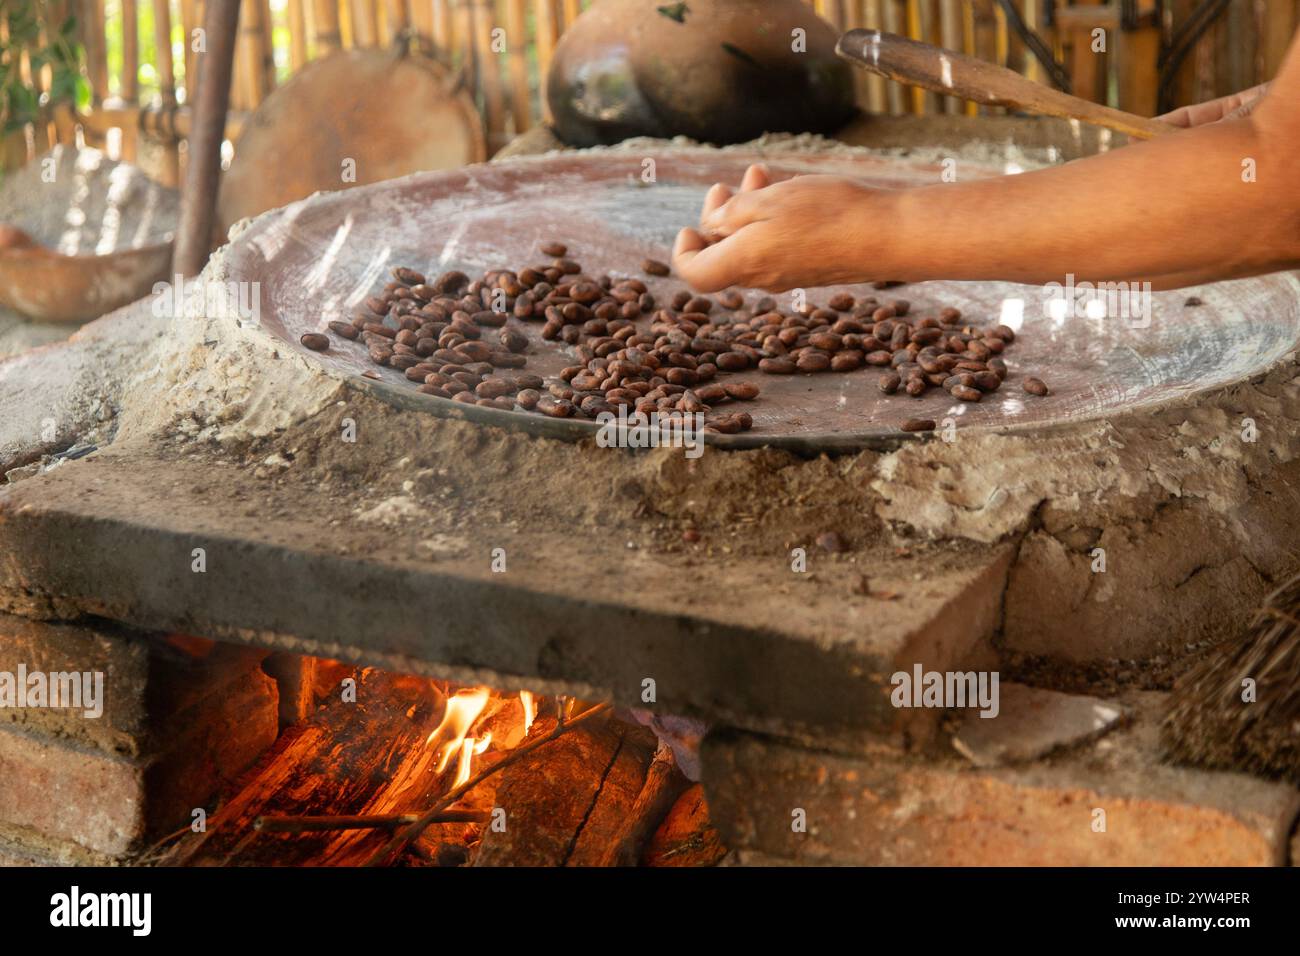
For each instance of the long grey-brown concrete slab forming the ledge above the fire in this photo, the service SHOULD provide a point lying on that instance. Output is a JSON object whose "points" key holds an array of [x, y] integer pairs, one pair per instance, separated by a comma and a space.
{"points": [[800, 654]]}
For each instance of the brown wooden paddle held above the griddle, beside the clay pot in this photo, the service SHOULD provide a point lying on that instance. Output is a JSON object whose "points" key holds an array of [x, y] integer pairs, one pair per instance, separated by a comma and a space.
{"points": [[957, 75]]}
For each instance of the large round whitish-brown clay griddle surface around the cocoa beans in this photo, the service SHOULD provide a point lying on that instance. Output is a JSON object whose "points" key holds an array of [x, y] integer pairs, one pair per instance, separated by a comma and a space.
{"points": [[319, 259]]}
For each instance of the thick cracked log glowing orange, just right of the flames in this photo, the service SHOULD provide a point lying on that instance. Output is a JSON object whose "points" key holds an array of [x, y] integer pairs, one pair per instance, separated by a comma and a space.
{"points": [[567, 804]]}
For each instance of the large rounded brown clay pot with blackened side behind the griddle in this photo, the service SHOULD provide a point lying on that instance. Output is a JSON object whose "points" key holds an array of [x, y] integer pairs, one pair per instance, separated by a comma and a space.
{"points": [[716, 71]]}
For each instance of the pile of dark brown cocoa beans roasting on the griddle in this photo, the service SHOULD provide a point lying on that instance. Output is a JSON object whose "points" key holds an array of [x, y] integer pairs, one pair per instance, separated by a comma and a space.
{"points": [[458, 339]]}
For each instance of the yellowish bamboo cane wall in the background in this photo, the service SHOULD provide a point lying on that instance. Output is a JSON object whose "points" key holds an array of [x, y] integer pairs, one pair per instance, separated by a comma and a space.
{"points": [[141, 63]]}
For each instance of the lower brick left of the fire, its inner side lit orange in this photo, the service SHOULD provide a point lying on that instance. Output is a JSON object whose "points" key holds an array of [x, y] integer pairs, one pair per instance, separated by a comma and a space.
{"points": [[109, 803]]}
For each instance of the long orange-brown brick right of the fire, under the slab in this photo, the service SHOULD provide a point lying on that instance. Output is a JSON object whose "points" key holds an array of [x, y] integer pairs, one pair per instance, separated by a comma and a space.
{"points": [[894, 810]]}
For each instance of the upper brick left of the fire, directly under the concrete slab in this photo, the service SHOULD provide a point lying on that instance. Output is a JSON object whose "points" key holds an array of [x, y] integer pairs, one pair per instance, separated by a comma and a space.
{"points": [[146, 680]]}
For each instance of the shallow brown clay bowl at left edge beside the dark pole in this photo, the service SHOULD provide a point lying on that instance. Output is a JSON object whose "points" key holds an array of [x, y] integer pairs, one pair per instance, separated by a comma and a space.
{"points": [[49, 287]]}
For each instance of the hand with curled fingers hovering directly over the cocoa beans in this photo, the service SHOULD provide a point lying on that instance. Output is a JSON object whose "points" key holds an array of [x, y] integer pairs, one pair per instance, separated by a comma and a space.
{"points": [[811, 231]]}
